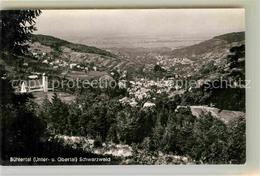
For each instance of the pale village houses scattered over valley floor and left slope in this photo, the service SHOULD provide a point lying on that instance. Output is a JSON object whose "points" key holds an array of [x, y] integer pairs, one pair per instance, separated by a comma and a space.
{"points": [[138, 88]]}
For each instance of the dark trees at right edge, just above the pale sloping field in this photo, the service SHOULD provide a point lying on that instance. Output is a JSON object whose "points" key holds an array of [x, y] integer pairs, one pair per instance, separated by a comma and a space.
{"points": [[219, 90]]}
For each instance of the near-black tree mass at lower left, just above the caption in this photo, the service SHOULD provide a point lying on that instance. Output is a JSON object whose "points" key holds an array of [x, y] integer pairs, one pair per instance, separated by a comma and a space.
{"points": [[20, 129]]}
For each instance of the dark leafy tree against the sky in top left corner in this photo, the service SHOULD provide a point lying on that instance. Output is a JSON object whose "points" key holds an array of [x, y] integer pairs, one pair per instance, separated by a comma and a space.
{"points": [[16, 29]]}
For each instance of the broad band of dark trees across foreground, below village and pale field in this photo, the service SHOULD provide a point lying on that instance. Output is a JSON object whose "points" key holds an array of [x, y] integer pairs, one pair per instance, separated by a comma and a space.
{"points": [[204, 140]]}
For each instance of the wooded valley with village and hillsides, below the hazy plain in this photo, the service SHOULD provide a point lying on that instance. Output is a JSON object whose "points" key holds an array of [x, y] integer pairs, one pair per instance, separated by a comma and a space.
{"points": [[153, 89]]}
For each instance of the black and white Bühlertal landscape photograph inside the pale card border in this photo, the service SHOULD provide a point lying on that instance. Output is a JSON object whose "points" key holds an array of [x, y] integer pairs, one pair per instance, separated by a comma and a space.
{"points": [[123, 87]]}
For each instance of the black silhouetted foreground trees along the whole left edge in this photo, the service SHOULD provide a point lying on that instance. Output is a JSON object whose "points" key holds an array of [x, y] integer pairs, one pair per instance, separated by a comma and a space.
{"points": [[21, 129]]}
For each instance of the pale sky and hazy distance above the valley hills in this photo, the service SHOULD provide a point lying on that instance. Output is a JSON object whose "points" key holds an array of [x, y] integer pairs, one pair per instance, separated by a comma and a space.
{"points": [[177, 23]]}
